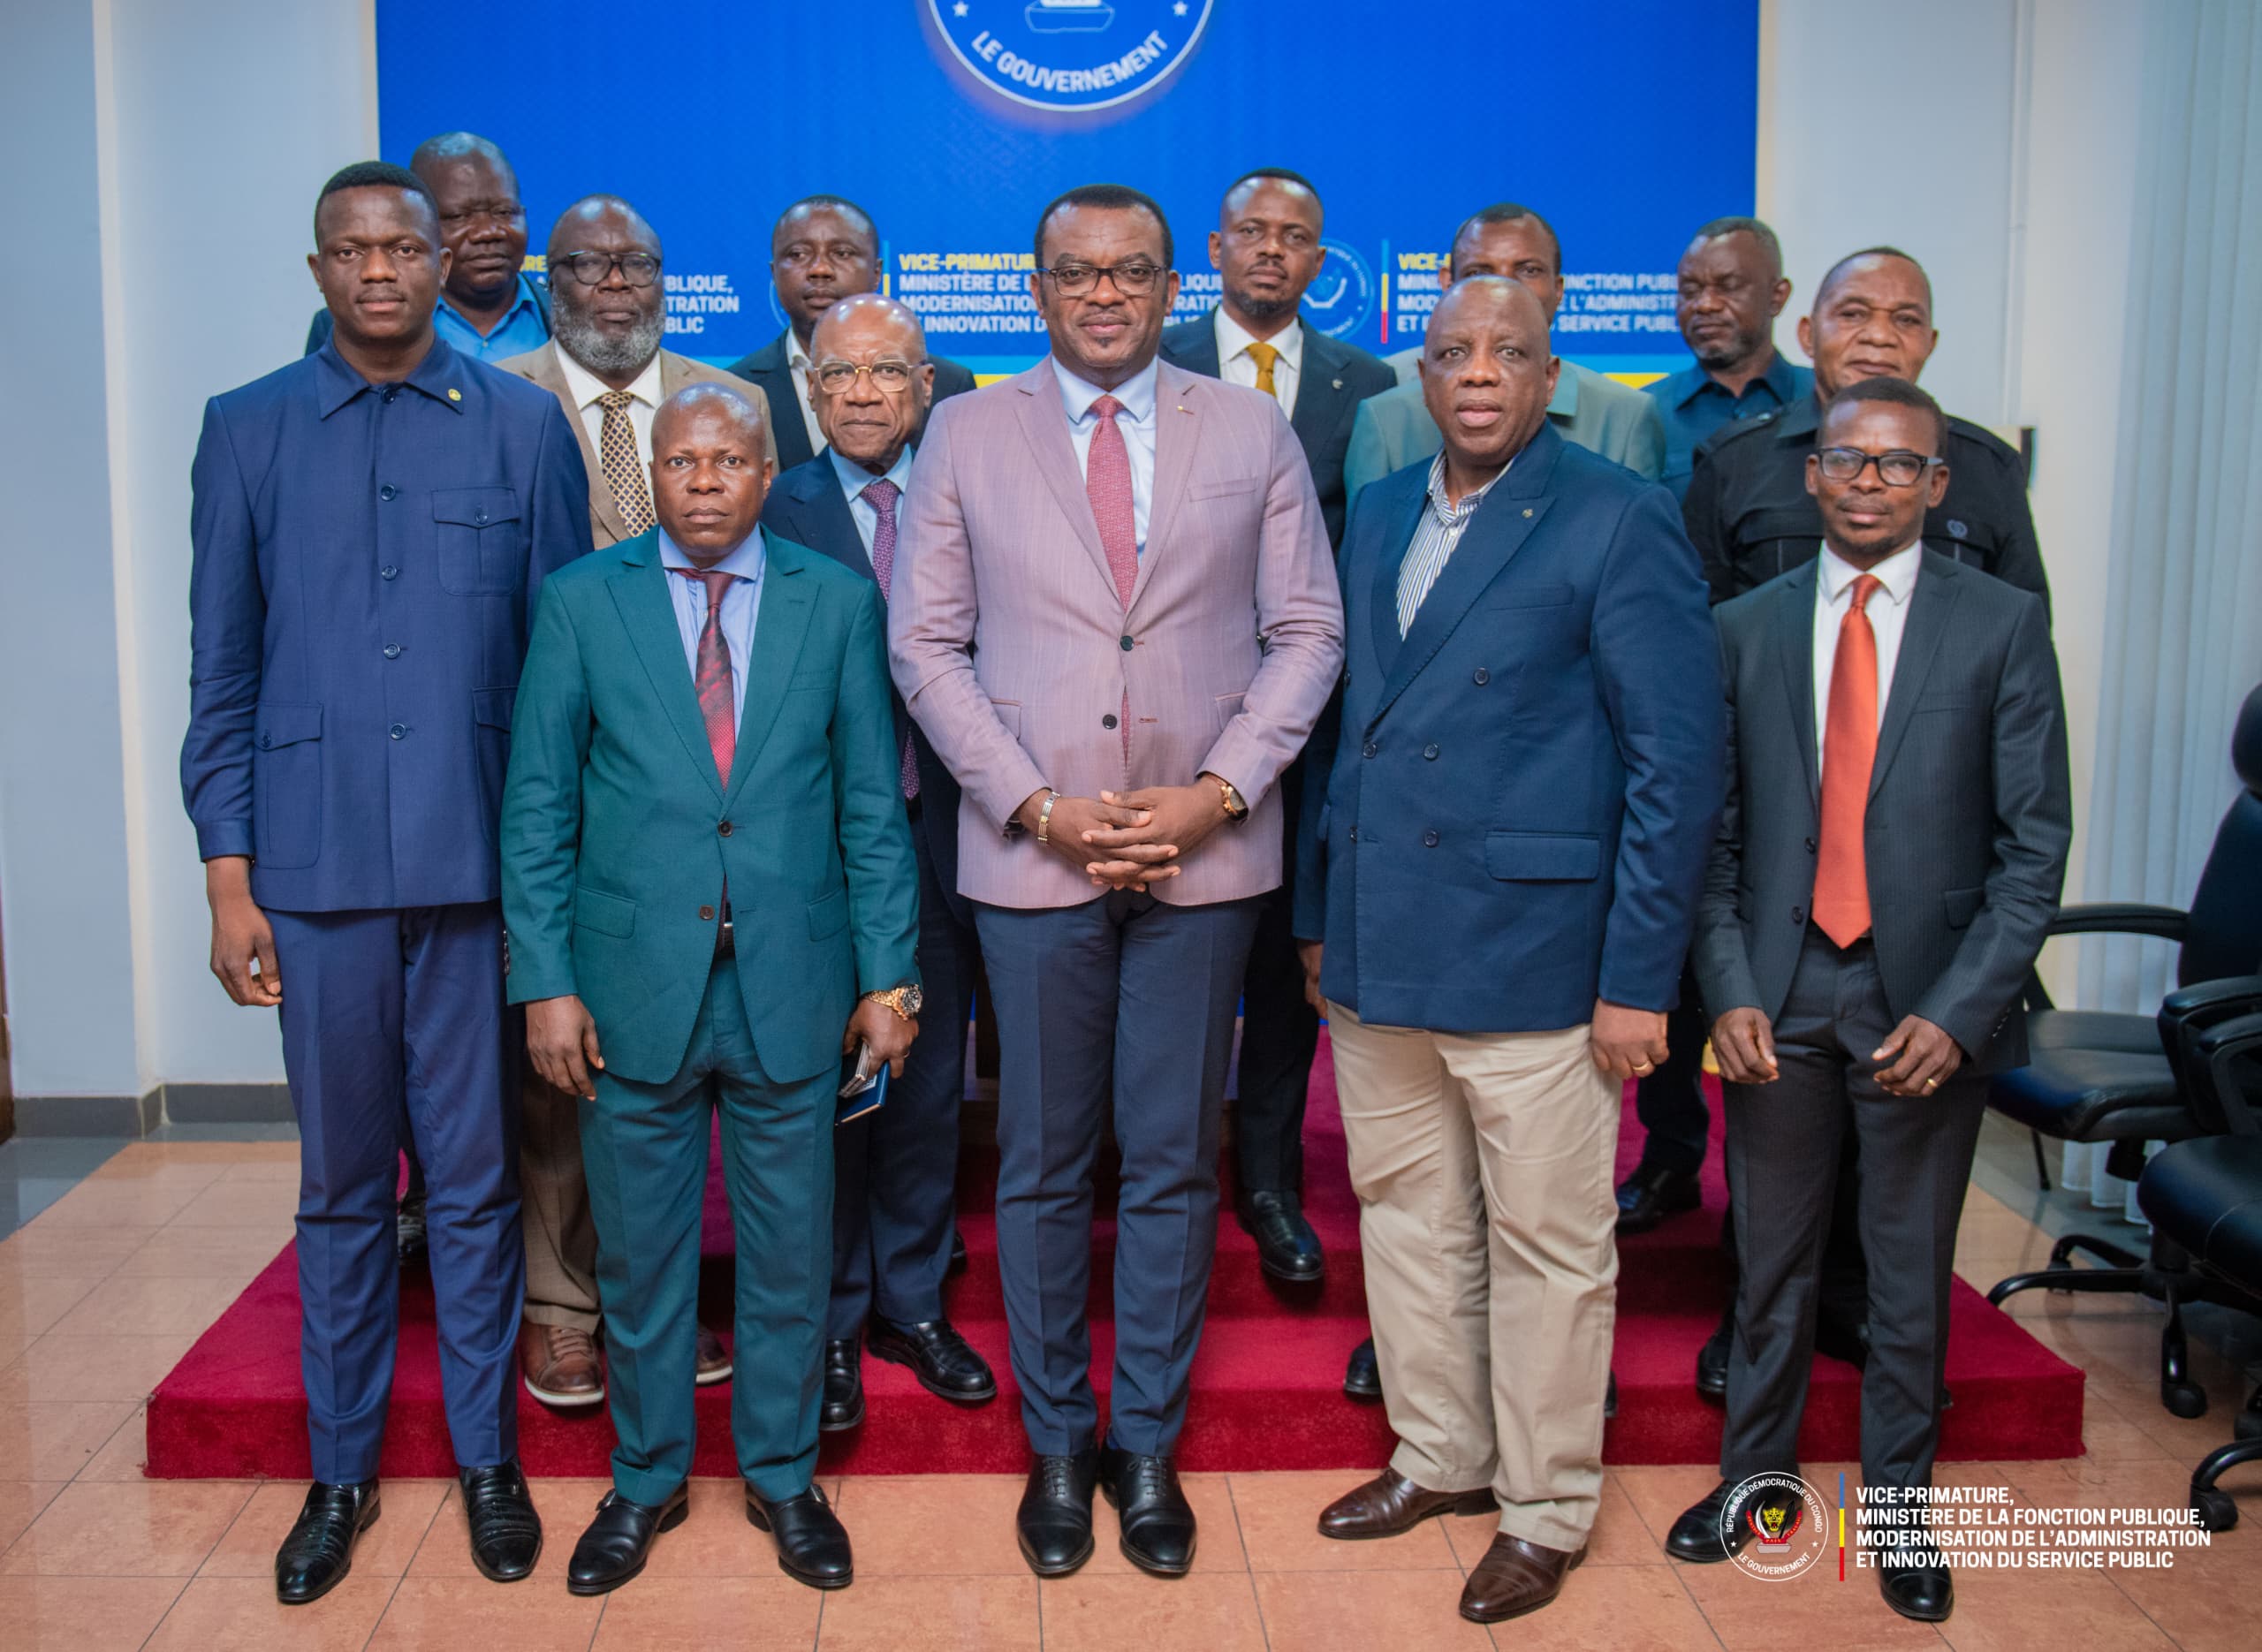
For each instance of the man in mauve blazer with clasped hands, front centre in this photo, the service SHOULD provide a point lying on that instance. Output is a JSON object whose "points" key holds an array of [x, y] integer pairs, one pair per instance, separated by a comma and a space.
{"points": [[1116, 619]]}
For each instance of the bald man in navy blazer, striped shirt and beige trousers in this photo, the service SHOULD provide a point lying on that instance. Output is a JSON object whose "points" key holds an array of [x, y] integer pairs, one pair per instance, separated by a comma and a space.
{"points": [[1496, 902]]}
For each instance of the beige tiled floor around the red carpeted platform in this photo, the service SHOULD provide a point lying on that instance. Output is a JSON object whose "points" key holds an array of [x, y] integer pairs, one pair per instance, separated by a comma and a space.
{"points": [[114, 1282]]}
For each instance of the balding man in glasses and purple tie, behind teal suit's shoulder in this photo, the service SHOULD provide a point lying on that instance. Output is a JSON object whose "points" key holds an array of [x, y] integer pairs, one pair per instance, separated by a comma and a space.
{"points": [[895, 1171]]}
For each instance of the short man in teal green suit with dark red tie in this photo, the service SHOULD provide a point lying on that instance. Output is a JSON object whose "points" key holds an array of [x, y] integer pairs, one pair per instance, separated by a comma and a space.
{"points": [[711, 897]]}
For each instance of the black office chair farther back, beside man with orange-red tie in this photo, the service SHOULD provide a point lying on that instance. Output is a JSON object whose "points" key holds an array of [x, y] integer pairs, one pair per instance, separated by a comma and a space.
{"points": [[2112, 1078]]}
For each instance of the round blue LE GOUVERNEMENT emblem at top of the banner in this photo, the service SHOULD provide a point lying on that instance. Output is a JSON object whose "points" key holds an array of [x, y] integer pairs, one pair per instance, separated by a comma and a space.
{"points": [[1071, 55]]}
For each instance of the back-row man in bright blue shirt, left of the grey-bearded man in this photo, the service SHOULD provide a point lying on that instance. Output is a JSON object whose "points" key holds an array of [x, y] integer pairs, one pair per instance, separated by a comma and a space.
{"points": [[490, 309]]}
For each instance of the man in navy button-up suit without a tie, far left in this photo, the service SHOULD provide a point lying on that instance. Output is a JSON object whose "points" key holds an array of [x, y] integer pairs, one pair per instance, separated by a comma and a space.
{"points": [[370, 531]]}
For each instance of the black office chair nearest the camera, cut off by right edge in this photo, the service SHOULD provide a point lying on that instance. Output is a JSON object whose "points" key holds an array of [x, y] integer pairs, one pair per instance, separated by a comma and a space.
{"points": [[2207, 1198]]}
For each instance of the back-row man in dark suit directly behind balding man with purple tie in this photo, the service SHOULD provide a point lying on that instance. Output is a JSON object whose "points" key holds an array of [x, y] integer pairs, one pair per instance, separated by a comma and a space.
{"points": [[822, 250]]}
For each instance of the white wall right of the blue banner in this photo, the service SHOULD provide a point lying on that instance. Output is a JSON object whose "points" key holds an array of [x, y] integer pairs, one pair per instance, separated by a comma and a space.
{"points": [[2003, 160]]}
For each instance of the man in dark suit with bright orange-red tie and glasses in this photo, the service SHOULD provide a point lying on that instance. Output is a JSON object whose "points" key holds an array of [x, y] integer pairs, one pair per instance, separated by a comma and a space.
{"points": [[1885, 872]]}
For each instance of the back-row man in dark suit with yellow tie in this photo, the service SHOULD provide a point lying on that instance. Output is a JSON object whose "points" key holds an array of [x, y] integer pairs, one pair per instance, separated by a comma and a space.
{"points": [[1268, 250]]}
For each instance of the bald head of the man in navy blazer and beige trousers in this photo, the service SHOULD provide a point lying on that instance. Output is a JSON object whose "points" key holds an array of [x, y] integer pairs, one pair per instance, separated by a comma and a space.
{"points": [[1487, 375]]}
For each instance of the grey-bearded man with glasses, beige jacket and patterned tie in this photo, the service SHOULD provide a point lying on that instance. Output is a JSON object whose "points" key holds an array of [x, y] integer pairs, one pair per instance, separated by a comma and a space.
{"points": [[605, 363]]}
